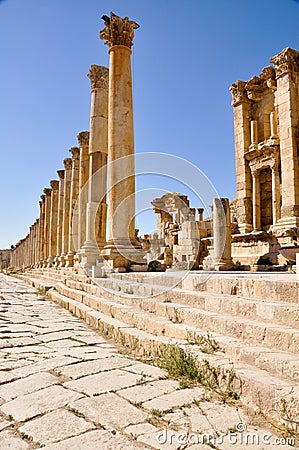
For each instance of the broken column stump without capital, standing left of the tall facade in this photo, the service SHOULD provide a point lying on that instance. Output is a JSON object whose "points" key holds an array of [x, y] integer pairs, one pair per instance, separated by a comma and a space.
{"points": [[222, 234]]}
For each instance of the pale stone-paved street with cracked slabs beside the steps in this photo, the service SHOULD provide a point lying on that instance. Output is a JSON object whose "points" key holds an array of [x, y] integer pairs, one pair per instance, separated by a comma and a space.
{"points": [[63, 386]]}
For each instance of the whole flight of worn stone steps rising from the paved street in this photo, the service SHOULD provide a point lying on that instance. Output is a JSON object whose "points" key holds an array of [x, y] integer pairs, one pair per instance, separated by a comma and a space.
{"points": [[253, 318]]}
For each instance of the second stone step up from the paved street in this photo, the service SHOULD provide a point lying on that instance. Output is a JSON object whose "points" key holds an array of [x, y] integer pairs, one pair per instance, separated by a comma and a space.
{"points": [[282, 364]]}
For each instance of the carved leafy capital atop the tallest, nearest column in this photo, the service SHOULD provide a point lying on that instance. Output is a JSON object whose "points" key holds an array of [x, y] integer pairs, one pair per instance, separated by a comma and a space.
{"points": [[118, 30]]}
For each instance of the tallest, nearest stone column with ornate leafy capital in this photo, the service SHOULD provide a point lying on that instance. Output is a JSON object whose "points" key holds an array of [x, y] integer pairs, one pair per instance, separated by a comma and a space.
{"points": [[121, 250]]}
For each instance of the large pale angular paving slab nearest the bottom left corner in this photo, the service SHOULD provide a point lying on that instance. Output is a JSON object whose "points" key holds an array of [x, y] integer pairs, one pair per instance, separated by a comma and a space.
{"points": [[55, 426]]}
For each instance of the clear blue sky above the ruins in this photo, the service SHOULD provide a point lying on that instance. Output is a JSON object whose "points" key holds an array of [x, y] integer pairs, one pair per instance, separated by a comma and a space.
{"points": [[186, 55]]}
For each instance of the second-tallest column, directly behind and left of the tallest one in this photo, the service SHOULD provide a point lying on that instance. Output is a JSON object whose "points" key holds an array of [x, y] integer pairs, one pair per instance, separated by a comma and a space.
{"points": [[98, 147]]}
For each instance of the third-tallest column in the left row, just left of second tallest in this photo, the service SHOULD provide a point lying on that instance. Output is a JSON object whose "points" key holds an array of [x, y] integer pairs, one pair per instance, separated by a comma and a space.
{"points": [[83, 140]]}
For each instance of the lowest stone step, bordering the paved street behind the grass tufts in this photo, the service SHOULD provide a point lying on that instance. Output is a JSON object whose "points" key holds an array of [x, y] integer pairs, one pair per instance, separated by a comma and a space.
{"points": [[259, 389]]}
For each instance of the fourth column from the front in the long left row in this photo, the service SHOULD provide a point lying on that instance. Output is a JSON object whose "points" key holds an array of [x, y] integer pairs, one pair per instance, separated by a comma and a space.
{"points": [[73, 213]]}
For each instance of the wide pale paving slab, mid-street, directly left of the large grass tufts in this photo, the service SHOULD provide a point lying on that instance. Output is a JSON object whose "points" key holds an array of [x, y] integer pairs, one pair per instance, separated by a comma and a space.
{"points": [[104, 382]]}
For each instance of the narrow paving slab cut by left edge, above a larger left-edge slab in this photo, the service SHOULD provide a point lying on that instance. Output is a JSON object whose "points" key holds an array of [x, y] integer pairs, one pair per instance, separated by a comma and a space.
{"points": [[26, 385]]}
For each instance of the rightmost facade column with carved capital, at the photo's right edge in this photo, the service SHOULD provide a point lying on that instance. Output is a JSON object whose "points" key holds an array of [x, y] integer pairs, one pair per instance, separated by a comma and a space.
{"points": [[286, 65]]}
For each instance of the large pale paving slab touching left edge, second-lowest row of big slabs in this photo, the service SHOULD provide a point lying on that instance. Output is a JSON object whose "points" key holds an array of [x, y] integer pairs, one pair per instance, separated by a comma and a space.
{"points": [[40, 402]]}
